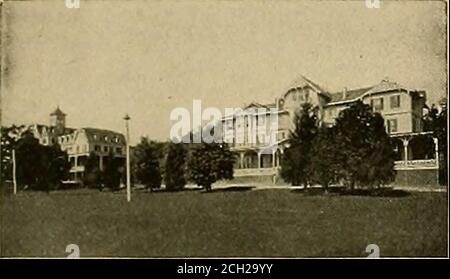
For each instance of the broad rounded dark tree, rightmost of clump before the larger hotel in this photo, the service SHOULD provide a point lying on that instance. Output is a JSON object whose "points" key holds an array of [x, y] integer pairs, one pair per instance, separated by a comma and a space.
{"points": [[364, 148]]}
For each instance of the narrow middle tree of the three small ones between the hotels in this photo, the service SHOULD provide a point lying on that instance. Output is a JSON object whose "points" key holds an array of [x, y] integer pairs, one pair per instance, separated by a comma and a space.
{"points": [[175, 166]]}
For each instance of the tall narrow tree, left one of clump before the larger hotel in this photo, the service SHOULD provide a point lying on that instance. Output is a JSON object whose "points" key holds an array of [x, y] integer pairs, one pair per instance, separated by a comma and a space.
{"points": [[295, 165]]}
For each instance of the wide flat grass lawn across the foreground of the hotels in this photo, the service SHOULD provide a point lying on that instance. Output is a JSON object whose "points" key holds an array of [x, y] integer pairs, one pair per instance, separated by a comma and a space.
{"points": [[265, 223]]}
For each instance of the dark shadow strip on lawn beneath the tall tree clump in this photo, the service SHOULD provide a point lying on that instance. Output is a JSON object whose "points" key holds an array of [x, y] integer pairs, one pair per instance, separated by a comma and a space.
{"points": [[343, 191]]}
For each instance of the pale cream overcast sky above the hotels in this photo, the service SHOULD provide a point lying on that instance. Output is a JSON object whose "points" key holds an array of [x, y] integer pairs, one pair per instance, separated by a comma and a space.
{"points": [[148, 57]]}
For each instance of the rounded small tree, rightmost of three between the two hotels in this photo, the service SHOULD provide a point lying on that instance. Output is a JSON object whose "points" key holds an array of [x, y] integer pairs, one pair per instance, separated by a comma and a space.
{"points": [[210, 162]]}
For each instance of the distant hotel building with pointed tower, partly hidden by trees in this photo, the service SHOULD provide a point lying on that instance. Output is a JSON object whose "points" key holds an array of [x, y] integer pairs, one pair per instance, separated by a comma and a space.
{"points": [[80, 143]]}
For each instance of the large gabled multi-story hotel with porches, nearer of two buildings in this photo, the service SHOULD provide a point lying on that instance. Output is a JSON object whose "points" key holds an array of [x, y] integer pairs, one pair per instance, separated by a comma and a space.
{"points": [[401, 107]]}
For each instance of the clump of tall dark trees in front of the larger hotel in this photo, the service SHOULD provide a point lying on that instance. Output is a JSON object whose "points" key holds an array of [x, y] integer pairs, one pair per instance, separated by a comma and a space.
{"points": [[356, 151]]}
